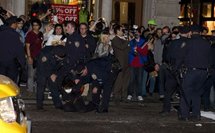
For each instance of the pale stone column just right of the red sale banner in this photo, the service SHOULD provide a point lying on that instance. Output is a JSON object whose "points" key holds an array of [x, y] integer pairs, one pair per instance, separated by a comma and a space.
{"points": [[107, 10]]}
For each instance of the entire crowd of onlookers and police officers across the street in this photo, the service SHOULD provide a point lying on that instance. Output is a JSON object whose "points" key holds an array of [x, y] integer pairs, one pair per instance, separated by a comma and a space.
{"points": [[106, 60]]}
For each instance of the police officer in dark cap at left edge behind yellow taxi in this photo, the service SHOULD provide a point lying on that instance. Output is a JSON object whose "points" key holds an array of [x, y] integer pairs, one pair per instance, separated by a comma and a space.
{"points": [[12, 55]]}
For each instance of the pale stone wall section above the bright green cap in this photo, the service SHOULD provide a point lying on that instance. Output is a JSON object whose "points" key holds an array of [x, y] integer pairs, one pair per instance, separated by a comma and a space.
{"points": [[165, 12]]}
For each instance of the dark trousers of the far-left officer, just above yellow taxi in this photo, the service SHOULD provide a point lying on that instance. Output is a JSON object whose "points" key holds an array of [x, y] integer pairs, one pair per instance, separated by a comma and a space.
{"points": [[9, 69]]}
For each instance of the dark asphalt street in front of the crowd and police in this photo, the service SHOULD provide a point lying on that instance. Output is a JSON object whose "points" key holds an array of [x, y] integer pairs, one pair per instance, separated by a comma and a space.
{"points": [[130, 117]]}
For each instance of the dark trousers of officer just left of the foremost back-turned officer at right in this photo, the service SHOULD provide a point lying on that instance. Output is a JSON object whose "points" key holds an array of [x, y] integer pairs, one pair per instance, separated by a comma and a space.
{"points": [[171, 86]]}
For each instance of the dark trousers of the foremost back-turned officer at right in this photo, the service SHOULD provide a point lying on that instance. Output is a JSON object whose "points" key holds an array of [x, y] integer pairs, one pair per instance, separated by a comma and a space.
{"points": [[193, 87]]}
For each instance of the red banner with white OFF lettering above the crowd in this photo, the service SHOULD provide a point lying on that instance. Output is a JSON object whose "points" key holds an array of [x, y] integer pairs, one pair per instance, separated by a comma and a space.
{"points": [[65, 12]]}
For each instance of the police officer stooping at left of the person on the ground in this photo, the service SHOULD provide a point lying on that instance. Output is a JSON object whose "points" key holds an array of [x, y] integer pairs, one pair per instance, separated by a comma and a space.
{"points": [[50, 63]]}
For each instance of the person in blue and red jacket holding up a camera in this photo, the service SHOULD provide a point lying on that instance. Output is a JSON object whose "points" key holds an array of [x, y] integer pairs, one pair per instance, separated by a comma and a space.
{"points": [[137, 58]]}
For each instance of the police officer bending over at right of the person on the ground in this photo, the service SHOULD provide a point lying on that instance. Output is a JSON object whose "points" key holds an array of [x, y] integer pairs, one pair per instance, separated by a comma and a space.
{"points": [[98, 72]]}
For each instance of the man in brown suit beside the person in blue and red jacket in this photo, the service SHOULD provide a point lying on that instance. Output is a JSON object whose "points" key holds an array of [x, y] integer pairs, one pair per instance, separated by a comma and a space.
{"points": [[121, 49]]}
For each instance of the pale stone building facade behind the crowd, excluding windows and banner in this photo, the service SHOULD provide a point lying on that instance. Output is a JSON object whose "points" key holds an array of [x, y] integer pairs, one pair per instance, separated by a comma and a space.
{"points": [[165, 12]]}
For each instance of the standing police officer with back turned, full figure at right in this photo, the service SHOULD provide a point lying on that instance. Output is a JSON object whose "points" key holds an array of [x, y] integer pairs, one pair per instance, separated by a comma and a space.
{"points": [[197, 63]]}
